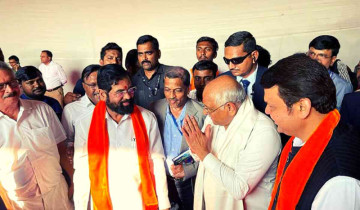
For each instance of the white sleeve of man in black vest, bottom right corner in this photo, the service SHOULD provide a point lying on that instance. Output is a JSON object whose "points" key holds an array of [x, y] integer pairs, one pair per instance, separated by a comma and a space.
{"points": [[340, 192]]}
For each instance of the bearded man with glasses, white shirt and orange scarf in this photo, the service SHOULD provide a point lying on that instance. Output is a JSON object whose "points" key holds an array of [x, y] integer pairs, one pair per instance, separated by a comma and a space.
{"points": [[119, 157]]}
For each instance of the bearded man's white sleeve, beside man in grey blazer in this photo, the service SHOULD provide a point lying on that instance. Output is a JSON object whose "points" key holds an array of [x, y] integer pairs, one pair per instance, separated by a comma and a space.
{"points": [[158, 158]]}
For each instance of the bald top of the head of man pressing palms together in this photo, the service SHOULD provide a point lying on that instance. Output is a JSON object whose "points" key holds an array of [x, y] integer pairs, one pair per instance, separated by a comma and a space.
{"points": [[224, 89]]}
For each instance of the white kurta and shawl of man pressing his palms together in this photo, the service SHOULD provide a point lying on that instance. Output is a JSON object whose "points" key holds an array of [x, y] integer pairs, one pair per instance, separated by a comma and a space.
{"points": [[239, 173]]}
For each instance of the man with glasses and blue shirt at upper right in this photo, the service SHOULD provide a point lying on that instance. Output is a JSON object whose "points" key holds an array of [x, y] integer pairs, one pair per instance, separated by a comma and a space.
{"points": [[324, 49]]}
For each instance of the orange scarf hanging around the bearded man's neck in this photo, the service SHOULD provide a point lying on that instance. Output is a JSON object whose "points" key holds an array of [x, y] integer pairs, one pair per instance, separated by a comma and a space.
{"points": [[98, 152]]}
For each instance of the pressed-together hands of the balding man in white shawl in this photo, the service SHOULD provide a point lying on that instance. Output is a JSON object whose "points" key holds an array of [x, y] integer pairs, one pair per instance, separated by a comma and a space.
{"points": [[199, 142]]}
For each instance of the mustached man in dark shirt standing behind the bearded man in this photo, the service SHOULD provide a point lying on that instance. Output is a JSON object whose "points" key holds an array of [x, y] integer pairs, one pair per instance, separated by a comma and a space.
{"points": [[149, 80]]}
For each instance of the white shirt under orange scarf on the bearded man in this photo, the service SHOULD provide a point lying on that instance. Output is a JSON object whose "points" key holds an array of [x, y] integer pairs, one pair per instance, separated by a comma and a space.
{"points": [[123, 167]]}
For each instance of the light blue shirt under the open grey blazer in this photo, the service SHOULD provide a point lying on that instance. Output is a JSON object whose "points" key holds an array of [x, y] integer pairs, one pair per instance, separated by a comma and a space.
{"points": [[172, 133]]}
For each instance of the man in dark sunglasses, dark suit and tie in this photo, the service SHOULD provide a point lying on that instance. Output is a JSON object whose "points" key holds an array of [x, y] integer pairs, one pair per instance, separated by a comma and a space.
{"points": [[241, 56]]}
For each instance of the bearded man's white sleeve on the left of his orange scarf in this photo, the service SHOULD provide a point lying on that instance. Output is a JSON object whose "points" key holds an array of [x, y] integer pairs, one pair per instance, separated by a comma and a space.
{"points": [[81, 176]]}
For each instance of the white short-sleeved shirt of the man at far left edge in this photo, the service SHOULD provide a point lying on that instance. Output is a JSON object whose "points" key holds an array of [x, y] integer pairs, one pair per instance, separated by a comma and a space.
{"points": [[29, 157]]}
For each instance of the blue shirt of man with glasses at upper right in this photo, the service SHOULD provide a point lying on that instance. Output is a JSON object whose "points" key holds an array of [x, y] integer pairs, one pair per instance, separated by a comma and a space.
{"points": [[342, 87]]}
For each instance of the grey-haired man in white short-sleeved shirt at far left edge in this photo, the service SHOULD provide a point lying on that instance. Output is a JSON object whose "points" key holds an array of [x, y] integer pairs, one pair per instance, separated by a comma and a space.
{"points": [[32, 140]]}
